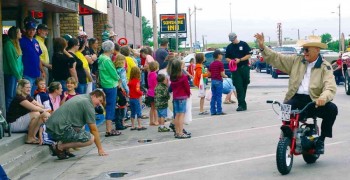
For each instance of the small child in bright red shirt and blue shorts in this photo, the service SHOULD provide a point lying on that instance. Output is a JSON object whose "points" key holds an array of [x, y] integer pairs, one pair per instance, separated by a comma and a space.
{"points": [[135, 93]]}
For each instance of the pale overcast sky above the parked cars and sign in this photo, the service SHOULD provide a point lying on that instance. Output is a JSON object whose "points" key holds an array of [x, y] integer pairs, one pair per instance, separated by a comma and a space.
{"points": [[252, 16]]}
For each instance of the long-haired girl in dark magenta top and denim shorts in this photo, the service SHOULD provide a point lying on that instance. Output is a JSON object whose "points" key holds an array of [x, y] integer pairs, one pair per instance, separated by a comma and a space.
{"points": [[181, 91]]}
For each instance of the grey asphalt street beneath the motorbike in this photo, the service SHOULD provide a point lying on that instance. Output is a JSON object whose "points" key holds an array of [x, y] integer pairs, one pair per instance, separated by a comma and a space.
{"points": [[239, 145]]}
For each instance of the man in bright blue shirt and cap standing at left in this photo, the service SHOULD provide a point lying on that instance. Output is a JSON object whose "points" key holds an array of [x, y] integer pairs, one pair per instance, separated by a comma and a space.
{"points": [[31, 54]]}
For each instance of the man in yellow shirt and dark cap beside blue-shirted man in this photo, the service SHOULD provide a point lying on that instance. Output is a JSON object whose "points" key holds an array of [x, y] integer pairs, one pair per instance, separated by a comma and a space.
{"points": [[42, 32]]}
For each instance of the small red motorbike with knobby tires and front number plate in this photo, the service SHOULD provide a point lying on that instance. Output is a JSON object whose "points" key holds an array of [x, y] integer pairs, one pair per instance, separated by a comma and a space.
{"points": [[298, 137]]}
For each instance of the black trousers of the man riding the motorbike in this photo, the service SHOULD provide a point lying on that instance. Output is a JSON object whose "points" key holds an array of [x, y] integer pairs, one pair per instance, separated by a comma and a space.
{"points": [[328, 113]]}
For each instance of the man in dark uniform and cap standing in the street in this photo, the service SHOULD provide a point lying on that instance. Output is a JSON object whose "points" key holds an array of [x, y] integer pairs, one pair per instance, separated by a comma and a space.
{"points": [[239, 52]]}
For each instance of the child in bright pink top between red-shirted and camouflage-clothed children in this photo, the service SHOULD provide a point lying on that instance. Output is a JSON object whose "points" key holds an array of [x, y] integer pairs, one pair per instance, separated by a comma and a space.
{"points": [[152, 83]]}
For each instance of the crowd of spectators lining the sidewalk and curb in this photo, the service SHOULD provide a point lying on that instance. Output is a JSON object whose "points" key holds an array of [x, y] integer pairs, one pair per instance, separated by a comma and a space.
{"points": [[52, 99]]}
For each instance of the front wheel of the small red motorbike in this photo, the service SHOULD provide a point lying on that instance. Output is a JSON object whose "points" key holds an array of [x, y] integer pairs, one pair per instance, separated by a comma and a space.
{"points": [[284, 158]]}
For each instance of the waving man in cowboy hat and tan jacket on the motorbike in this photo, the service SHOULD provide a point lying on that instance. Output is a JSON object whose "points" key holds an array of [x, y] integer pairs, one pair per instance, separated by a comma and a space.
{"points": [[311, 79]]}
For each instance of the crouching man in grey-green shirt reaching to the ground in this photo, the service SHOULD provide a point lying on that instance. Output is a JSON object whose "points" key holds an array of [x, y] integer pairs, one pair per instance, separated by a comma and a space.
{"points": [[66, 123]]}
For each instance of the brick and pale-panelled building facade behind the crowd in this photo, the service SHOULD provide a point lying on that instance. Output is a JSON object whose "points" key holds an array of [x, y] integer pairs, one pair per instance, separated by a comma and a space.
{"points": [[68, 16]]}
